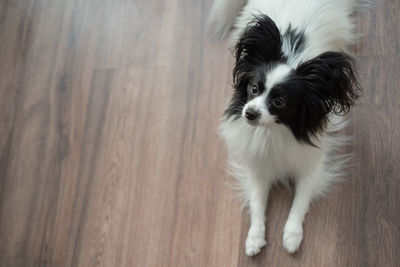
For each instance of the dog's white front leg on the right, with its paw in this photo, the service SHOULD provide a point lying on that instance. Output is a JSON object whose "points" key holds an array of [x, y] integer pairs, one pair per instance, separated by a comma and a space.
{"points": [[306, 189]]}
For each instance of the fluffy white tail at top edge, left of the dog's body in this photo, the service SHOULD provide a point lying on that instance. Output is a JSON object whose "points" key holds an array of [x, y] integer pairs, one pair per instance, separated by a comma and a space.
{"points": [[222, 16]]}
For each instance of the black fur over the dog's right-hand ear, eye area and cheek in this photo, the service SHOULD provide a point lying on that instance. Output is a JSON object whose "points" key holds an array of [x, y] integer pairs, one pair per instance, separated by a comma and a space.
{"points": [[317, 87]]}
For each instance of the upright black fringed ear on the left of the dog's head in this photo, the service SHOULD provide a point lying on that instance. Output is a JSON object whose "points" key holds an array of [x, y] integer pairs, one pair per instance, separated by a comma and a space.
{"points": [[259, 43]]}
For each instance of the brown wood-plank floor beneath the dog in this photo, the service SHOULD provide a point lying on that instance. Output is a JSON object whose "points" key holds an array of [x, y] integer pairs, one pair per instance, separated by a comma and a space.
{"points": [[109, 153]]}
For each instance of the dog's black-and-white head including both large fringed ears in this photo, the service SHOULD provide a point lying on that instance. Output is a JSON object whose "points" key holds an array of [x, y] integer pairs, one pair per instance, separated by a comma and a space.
{"points": [[268, 91]]}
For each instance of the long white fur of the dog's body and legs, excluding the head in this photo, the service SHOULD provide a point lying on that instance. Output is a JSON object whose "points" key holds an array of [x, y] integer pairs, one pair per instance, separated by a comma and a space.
{"points": [[263, 155]]}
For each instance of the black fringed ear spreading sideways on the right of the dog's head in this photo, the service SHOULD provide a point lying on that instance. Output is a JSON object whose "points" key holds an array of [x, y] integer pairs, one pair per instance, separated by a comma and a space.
{"points": [[331, 77]]}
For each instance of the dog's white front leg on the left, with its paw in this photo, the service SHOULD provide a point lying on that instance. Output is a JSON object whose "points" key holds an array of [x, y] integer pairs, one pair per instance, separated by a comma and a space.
{"points": [[258, 196]]}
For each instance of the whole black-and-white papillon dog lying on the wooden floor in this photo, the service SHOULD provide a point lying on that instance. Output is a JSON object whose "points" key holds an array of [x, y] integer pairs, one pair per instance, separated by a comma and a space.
{"points": [[294, 79]]}
